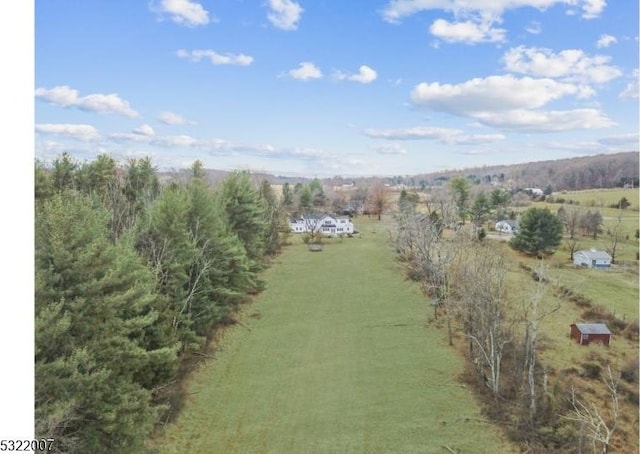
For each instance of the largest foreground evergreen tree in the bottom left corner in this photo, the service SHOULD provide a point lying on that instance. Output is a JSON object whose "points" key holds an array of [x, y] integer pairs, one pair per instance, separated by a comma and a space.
{"points": [[94, 302]]}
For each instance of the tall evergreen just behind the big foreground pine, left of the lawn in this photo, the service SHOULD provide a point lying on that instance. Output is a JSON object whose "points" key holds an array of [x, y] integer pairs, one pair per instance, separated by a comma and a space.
{"points": [[201, 266]]}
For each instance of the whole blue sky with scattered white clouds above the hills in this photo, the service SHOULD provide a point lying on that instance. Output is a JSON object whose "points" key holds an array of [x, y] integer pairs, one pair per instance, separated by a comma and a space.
{"points": [[324, 88]]}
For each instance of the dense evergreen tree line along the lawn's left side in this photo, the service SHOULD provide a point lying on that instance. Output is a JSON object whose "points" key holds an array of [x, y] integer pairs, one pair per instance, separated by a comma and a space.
{"points": [[130, 275]]}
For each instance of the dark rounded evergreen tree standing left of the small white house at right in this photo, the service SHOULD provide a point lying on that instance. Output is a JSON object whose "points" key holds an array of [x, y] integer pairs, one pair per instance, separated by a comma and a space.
{"points": [[539, 233]]}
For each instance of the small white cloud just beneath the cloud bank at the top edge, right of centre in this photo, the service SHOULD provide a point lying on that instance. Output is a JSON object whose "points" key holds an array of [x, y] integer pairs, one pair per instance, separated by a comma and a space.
{"points": [[469, 32]]}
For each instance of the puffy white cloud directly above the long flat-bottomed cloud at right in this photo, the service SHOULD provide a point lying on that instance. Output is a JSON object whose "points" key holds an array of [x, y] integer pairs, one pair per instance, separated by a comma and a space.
{"points": [[569, 65]]}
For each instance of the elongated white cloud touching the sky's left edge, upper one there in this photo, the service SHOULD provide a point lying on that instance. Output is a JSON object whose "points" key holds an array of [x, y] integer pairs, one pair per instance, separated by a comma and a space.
{"points": [[65, 96]]}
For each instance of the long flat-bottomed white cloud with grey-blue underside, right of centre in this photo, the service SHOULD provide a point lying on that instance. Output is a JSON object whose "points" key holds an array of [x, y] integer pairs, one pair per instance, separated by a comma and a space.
{"points": [[492, 93]]}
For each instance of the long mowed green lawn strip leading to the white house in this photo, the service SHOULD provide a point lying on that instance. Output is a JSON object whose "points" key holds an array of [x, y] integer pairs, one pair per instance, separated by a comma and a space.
{"points": [[338, 361]]}
